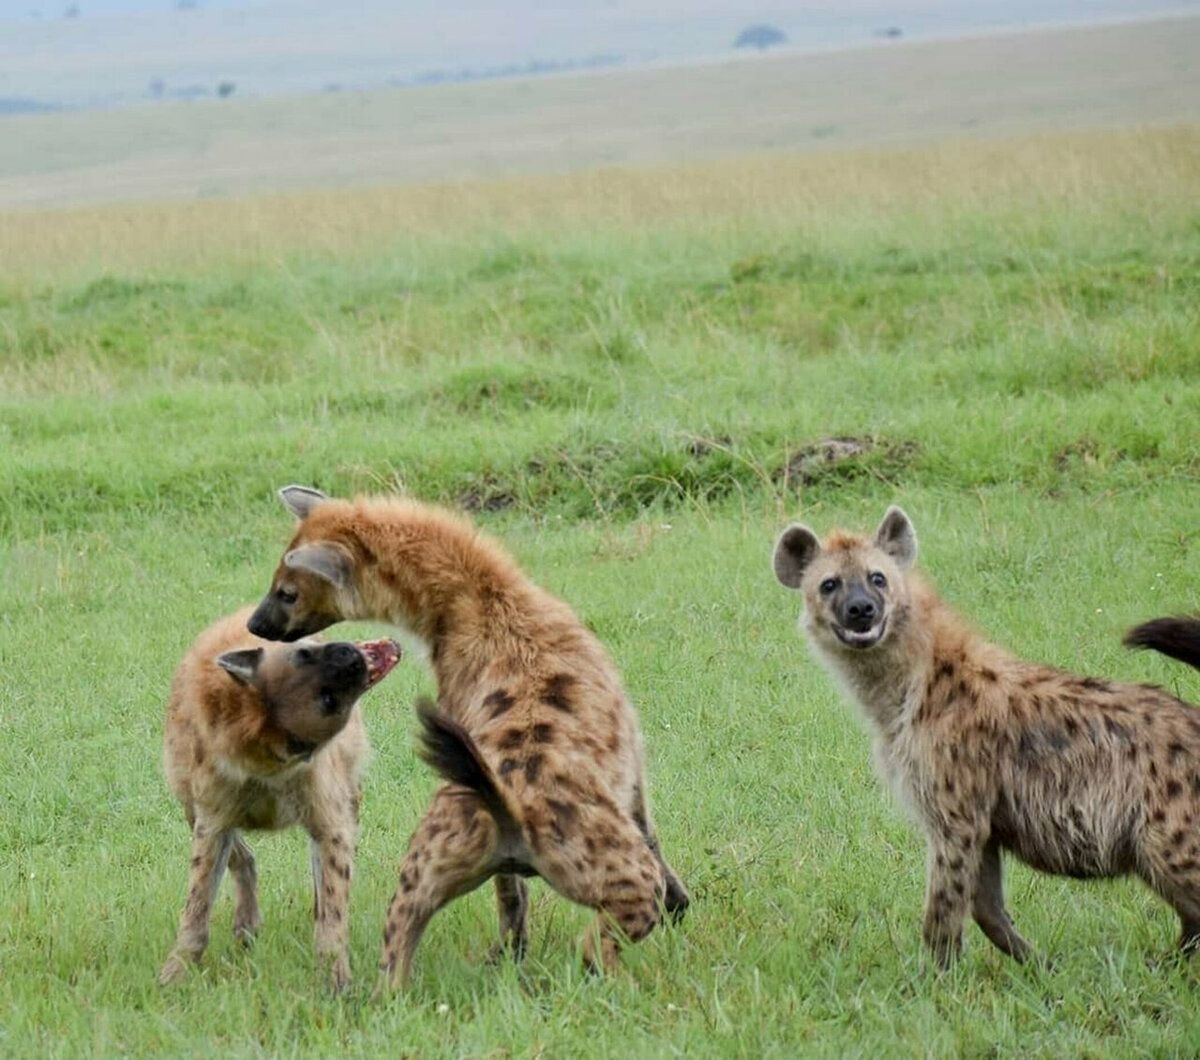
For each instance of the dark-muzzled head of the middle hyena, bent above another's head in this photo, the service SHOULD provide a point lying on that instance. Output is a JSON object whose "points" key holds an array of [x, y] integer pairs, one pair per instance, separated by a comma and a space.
{"points": [[314, 585]]}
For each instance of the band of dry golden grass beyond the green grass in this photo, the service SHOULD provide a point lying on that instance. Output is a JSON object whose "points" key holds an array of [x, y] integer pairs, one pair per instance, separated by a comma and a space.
{"points": [[851, 193]]}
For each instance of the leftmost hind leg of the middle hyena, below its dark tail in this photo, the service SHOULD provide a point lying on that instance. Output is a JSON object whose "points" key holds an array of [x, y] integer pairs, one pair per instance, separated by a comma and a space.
{"points": [[452, 852]]}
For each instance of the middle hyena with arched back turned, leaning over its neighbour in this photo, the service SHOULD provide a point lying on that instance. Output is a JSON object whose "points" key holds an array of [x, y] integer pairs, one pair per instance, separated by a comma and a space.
{"points": [[533, 728]]}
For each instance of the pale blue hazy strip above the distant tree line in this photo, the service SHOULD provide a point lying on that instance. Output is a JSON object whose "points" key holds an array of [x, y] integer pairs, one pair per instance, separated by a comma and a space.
{"points": [[116, 50]]}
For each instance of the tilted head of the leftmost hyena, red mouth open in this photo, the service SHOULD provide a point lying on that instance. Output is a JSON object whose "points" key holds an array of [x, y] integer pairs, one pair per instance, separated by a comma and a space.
{"points": [[308, 690]]}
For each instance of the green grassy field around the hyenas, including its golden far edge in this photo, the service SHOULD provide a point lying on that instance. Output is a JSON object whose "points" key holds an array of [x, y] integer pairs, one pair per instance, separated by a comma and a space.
{"points": [[622, 374]]}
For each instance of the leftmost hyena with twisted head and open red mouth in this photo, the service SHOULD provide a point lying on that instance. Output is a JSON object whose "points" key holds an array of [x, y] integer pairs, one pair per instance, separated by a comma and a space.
{"points": [[265, 736]]}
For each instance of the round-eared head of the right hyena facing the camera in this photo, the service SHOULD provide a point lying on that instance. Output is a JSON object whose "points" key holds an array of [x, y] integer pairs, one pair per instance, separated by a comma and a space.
{"points": [[855, 588]]}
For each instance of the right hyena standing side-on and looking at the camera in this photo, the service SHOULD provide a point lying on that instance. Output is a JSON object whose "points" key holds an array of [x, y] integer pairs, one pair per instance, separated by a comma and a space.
{"points": [[1075, 776]]}
